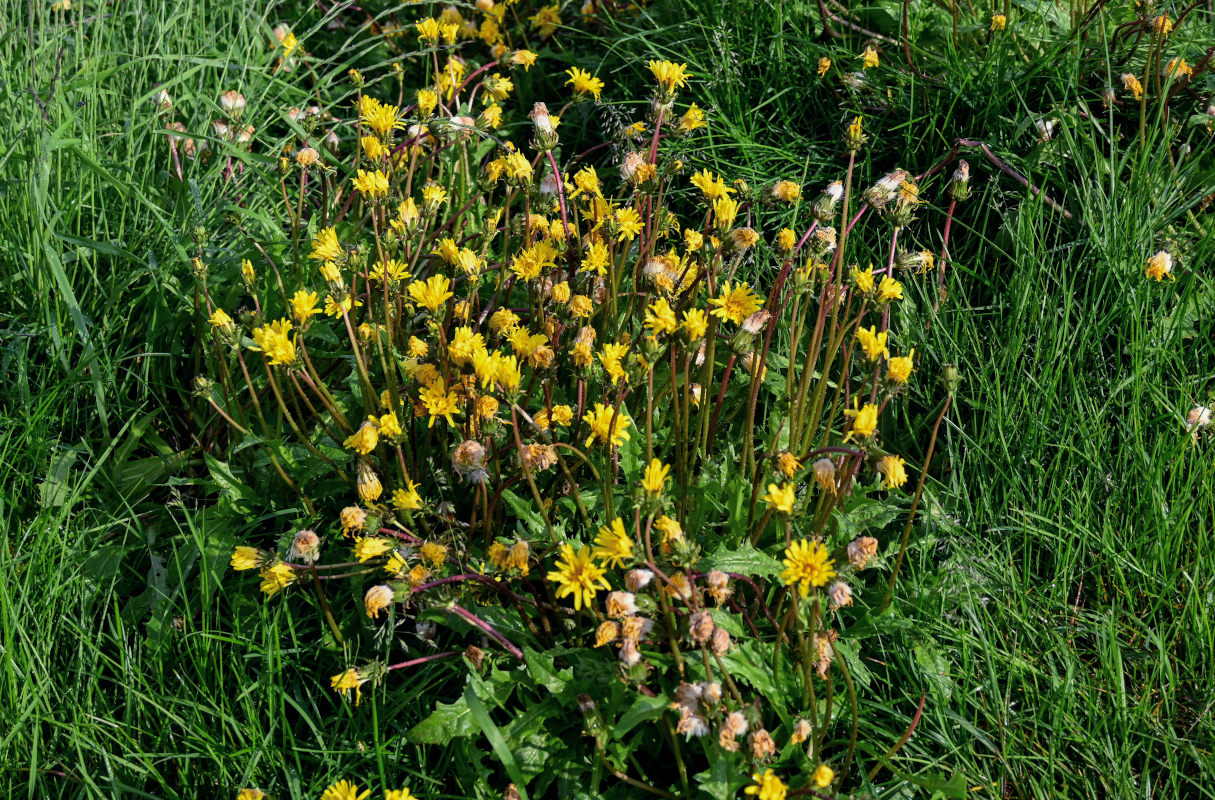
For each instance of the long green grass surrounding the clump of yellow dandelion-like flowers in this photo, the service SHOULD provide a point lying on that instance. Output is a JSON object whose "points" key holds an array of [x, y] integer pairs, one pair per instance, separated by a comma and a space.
{"points": [[1056, 611]]}
